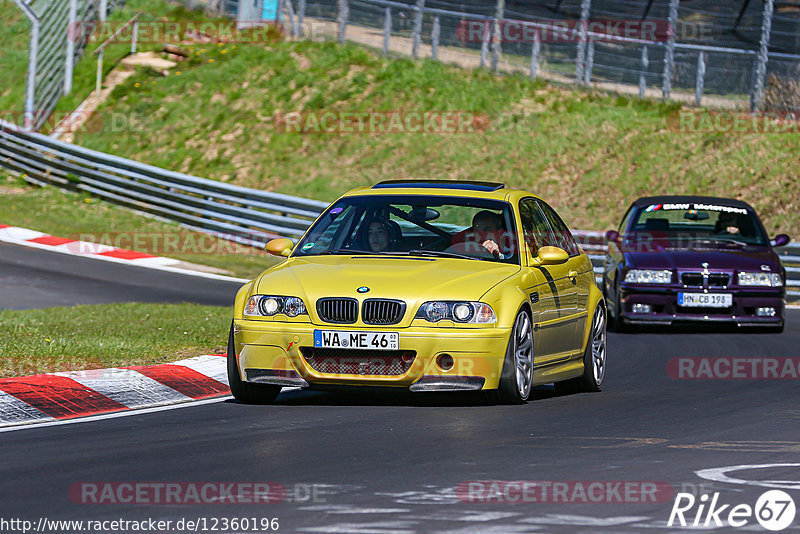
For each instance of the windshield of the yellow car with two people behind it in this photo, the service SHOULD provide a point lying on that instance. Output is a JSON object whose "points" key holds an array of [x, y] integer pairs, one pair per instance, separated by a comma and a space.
{"points": [[415, 225]]}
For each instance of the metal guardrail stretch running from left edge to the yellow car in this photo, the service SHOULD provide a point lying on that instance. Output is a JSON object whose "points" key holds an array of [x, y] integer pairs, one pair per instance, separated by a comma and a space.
{"points": [[238, 213]]}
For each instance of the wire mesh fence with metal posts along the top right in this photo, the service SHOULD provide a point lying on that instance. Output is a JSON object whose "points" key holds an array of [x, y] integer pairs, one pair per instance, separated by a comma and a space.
{"points": [[715, 52]]}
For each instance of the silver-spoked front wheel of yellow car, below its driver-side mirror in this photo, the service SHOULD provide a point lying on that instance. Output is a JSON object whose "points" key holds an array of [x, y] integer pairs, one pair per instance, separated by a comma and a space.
{"points": [[516, 381]]}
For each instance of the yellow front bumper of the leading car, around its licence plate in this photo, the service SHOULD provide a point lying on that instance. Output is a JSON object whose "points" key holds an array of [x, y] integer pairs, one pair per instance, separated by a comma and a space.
{"points": [[439, 357]]}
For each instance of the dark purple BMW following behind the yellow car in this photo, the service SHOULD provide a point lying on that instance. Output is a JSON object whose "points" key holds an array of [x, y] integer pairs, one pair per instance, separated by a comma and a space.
{"points": [[692, 258]]}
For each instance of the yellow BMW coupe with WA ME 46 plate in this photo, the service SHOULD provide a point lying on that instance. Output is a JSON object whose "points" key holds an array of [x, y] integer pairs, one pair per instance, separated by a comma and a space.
{"points": [[427, 286]]}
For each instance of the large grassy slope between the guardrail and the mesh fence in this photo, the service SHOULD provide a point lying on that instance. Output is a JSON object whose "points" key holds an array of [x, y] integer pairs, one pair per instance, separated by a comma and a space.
{"points": [[588, 153]]}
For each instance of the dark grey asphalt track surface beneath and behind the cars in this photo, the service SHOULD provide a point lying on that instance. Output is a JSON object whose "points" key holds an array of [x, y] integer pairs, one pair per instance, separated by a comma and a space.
{"points": [[389, 463]]}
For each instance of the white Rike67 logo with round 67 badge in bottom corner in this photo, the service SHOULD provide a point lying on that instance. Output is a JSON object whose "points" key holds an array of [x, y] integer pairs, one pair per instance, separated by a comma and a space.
{"points": [[774, 510]]}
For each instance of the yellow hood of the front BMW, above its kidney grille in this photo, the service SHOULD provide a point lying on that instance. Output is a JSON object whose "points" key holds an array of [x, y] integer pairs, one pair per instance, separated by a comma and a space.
{"points": [[411, 279]]}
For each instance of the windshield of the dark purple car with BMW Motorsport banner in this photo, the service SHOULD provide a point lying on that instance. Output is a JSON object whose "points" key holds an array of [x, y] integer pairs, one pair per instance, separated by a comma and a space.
{"points": [[687, 224]]}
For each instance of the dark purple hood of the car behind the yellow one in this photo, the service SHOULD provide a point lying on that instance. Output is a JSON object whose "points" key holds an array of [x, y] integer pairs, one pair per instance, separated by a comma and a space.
{"points": [[749, 258]]}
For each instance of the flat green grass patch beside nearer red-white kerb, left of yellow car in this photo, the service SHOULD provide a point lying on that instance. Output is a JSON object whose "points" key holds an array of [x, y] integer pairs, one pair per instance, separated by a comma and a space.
{"points": [[108, 335]]}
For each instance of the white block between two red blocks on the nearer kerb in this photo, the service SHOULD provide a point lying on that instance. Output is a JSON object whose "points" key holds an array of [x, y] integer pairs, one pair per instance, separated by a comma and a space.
{"points": [[126, 386]]}
